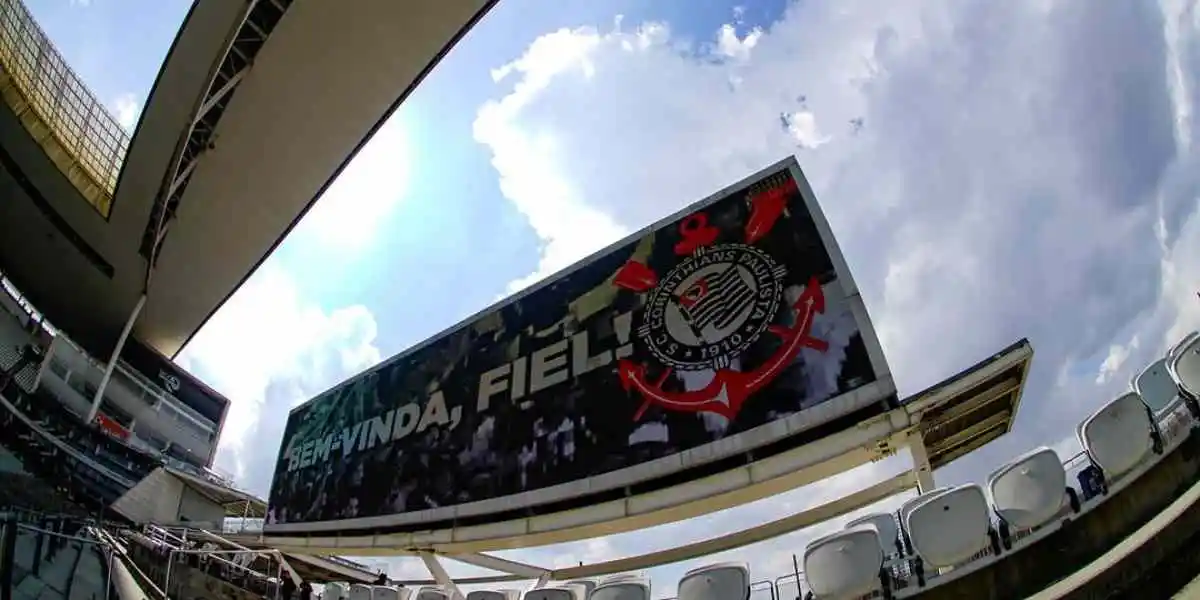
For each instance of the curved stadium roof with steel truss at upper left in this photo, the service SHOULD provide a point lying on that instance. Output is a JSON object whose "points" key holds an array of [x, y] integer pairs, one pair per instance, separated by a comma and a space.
{"points": [[249, 122]]}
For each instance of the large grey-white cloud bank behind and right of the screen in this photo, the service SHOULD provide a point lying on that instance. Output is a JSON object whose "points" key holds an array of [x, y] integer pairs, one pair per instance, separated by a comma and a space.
{"points": [[993, 171]]}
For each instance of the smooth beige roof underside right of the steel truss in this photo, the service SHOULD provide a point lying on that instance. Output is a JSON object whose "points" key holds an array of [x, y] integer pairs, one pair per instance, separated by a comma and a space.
{"points": [[327, 77]]}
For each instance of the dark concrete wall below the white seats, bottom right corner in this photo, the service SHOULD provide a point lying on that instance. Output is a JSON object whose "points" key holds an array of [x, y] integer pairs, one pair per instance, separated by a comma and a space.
{"points": [[1033, 569]]}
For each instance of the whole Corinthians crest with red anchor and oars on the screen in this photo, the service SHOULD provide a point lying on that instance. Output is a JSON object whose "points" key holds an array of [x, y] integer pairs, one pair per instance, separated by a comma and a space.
{"points": [[712, 308]]}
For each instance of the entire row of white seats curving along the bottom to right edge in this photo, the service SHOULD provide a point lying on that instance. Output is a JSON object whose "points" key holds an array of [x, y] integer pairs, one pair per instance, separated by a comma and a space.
{"points": [[946, 530]]}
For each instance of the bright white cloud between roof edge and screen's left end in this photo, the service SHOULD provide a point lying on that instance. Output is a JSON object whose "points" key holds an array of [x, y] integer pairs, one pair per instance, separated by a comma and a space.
{"points": [[268, 350]]}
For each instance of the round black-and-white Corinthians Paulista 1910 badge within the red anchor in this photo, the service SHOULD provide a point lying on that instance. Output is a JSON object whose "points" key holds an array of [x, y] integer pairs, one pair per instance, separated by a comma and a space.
{"points": [[712, 307]]}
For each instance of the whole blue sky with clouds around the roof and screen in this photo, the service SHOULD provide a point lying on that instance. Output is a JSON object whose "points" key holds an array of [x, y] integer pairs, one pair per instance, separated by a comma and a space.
{"points": [[993, 171]]}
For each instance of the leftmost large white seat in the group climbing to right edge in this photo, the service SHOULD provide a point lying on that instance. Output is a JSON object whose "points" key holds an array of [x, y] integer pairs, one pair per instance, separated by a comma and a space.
{"points": [[845, 565]]}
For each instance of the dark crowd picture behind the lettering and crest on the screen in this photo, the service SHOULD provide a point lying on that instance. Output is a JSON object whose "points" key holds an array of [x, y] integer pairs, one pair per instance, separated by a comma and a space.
{"points": [[587, 425]]}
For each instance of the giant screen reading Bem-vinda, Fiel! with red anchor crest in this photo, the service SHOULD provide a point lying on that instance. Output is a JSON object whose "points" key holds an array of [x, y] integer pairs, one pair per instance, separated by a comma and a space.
{"points": [[718, 333]]}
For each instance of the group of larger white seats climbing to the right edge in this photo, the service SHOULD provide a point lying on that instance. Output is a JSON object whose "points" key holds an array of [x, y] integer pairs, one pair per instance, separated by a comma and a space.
{"points": [[946, 529]]}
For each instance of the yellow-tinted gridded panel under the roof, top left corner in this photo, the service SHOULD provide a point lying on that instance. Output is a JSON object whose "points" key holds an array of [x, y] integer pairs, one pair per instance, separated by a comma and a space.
{"points": [[77, 121]]}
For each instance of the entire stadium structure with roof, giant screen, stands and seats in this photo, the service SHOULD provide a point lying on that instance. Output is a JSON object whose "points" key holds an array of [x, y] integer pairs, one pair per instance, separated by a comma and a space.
{"points": [[719, 357]]}
